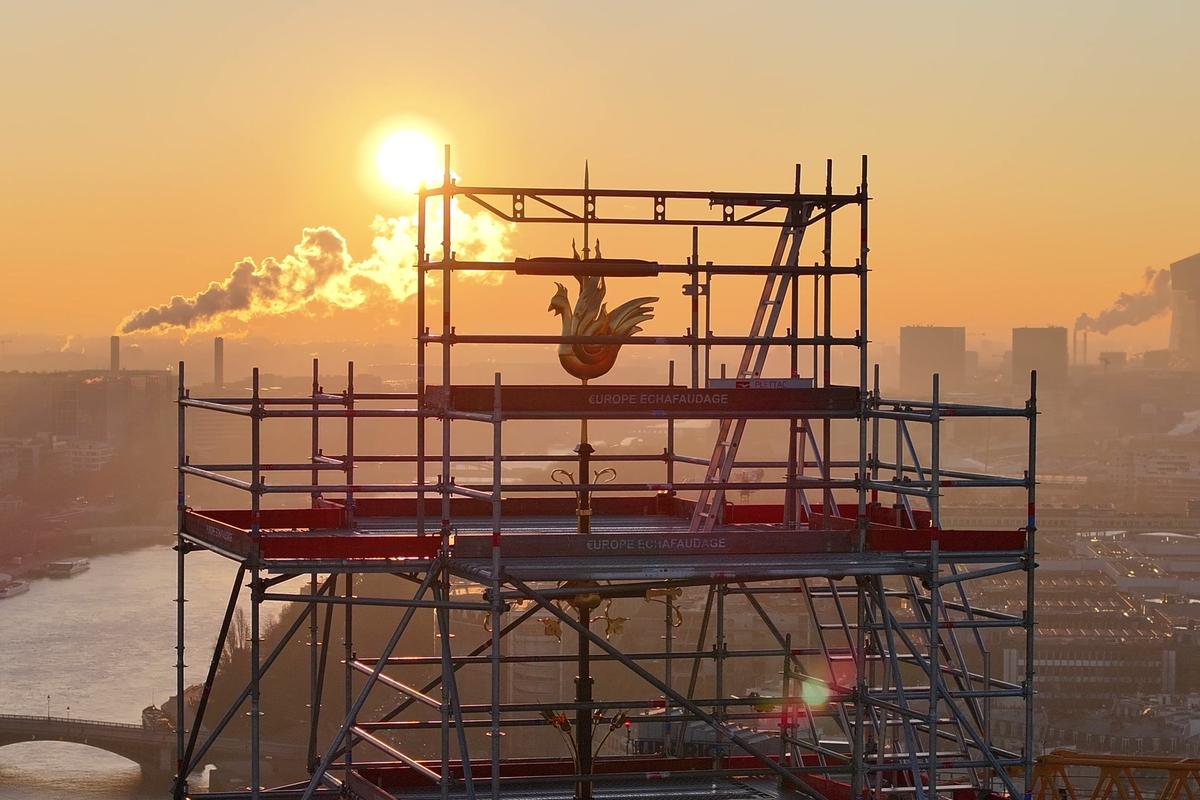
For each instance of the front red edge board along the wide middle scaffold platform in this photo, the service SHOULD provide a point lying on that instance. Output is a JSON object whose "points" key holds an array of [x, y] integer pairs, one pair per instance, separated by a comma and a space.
{"points": [[307, 538]]}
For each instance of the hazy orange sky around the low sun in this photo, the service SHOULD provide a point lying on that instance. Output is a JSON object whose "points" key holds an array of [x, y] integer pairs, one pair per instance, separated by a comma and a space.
{"points": [[1030, 160]]}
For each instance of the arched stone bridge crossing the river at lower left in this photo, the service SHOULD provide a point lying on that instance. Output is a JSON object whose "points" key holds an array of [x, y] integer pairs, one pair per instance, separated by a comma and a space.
{"points": [[153, 749]]}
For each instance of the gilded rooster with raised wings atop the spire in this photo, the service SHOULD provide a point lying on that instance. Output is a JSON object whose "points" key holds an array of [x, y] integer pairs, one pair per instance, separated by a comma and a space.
{"points": [[591, 317]]}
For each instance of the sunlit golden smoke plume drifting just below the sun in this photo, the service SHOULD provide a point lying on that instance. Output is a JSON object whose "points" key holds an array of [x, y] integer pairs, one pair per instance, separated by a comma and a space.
{"points": [[320, 274]]}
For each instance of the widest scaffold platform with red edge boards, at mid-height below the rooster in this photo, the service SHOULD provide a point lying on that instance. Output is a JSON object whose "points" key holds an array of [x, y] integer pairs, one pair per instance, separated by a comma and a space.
{"points": [[301, 539]]}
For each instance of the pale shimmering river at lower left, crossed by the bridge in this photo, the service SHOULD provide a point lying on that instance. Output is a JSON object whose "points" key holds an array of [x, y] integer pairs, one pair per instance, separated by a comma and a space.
{"points": [[100, 646]]}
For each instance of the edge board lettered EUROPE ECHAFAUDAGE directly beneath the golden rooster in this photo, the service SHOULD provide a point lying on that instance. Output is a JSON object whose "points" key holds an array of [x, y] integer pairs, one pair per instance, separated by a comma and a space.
{"points": [[641, 402]]}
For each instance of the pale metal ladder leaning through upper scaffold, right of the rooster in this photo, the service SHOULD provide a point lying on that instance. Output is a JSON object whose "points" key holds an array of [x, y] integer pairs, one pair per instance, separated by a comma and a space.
{"points": [[754, 358]]}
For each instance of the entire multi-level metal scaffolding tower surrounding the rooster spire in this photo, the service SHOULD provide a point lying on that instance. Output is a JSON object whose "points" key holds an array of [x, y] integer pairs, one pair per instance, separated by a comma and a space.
{"points": [[897, 659]]}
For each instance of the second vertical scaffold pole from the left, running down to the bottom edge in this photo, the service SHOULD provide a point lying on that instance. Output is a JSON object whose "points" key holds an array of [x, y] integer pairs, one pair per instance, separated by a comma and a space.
{"points": [[256, 587]]}
